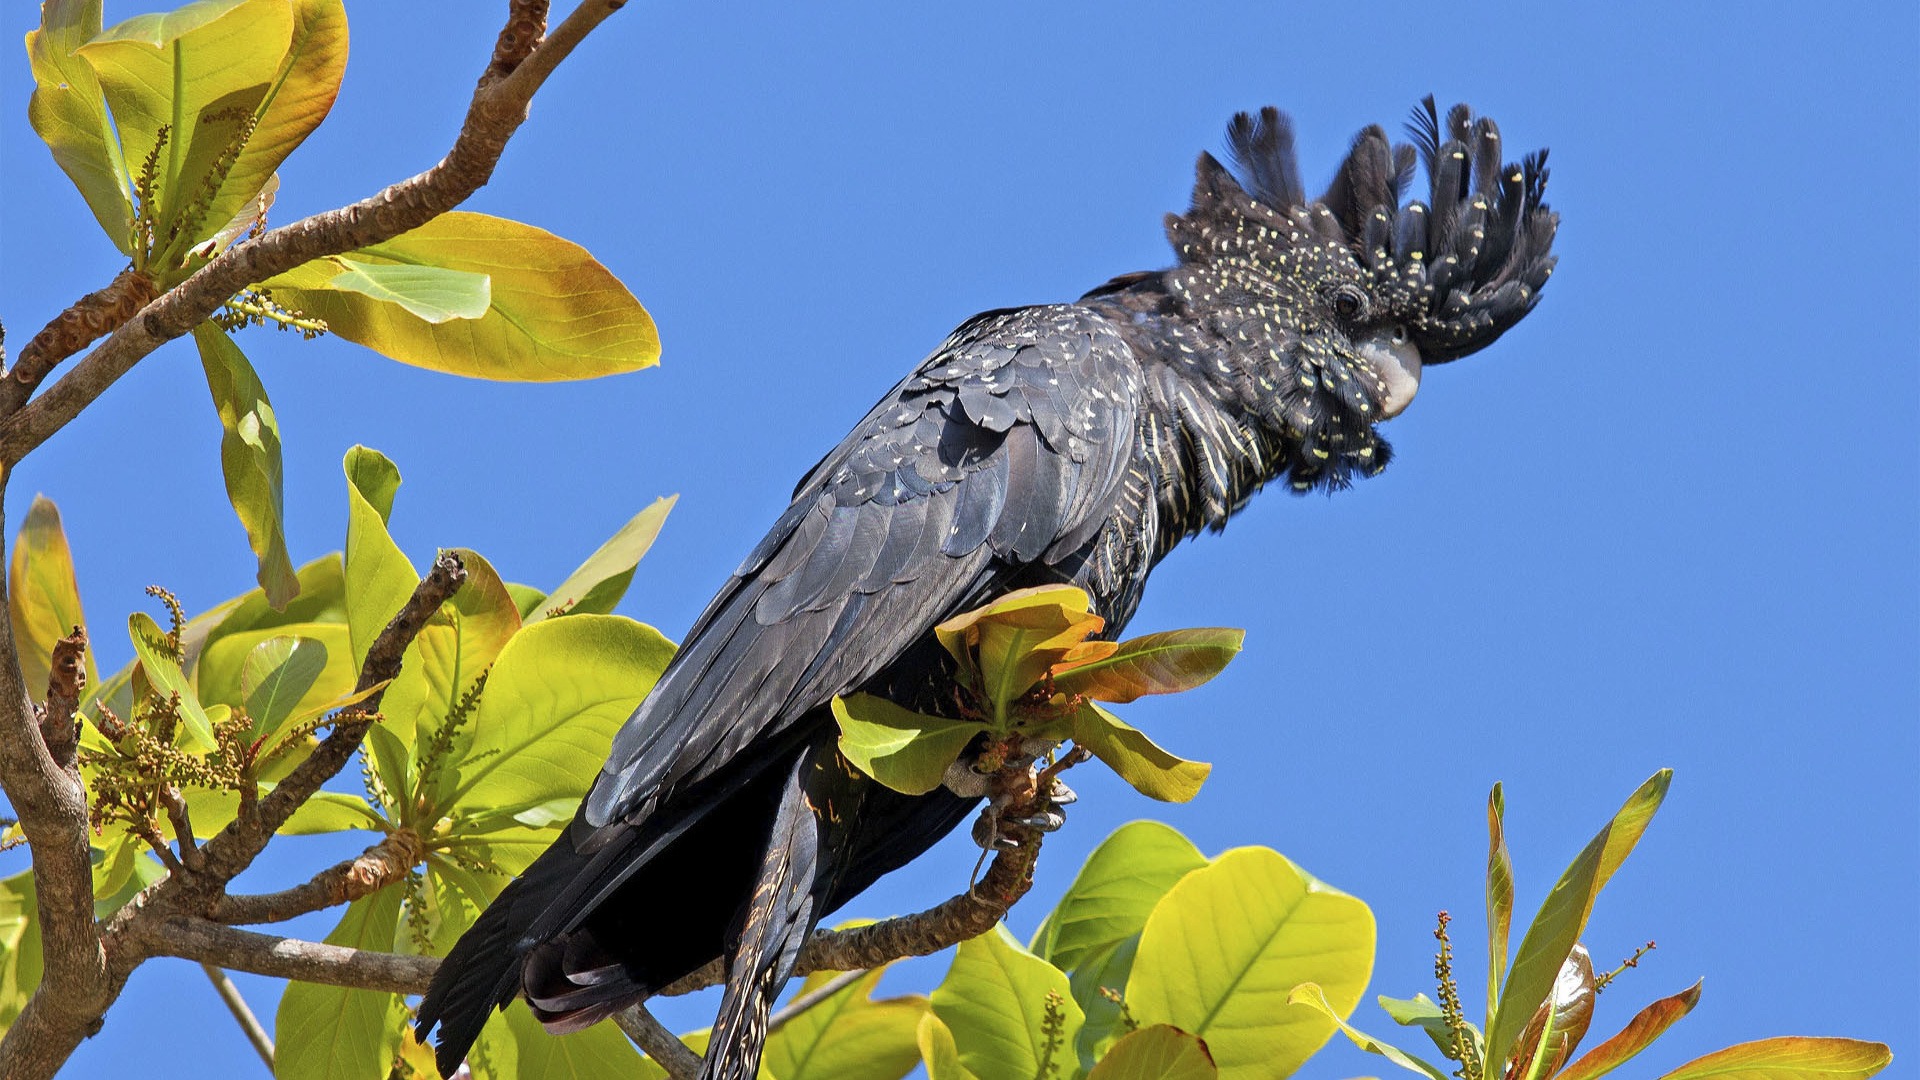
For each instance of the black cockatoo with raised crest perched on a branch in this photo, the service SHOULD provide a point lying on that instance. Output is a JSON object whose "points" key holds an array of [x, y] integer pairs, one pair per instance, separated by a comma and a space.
{"points": [[1045, 445]]}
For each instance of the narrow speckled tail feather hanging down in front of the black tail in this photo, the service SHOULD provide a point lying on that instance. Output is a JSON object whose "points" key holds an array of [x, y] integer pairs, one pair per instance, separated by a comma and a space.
{"points": [[777, 923]]}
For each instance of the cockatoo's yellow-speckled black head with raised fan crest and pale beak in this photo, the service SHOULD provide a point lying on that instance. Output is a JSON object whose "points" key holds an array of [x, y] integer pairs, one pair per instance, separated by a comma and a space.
{"points": [[1349, 297]]}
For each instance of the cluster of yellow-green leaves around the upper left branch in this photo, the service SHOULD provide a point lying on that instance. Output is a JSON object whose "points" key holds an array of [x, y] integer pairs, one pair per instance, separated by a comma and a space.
{"points": [[174, 128]]}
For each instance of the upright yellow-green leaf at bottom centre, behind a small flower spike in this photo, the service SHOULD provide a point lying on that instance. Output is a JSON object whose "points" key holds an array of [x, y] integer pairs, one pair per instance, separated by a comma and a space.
{"points": [[996, 1004]]}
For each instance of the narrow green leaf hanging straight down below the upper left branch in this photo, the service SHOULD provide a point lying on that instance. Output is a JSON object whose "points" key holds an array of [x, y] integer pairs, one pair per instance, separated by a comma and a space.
{"points": [[251, 458]]}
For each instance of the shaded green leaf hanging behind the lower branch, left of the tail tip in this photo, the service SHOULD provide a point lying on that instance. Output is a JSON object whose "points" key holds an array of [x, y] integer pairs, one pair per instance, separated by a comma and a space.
{"points": [[331, 1033]]}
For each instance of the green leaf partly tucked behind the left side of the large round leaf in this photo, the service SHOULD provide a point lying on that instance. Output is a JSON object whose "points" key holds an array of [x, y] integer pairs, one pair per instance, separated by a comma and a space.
{"points": [[1115, 893]]}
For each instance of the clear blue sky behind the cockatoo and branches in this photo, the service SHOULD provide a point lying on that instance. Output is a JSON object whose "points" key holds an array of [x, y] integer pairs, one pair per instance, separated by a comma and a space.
{"points": [[1671, 520]]}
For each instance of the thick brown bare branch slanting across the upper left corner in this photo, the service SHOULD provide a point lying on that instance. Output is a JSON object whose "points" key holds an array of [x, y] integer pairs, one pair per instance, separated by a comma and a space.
{"points": [[500, 105]]}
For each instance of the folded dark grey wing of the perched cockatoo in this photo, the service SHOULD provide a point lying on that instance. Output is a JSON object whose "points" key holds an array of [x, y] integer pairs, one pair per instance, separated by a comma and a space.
{"points": [[1001, 451]]}
